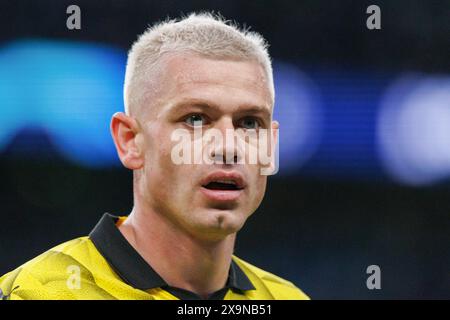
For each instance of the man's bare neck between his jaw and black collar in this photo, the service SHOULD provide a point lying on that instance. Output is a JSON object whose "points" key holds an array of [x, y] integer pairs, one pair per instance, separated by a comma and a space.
{"points": [[182, 260]]}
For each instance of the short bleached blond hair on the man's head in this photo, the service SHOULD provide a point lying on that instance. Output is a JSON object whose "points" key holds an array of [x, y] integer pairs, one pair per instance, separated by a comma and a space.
{"points": [[206, 34]]}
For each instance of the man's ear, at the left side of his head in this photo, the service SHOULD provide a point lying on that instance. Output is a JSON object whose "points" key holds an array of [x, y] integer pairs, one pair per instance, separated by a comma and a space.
{"points": [[125, 132]]}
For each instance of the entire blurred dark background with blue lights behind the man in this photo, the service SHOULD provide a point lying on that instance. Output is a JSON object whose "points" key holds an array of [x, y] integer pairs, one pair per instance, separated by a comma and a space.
{"points": [[364, 143]]}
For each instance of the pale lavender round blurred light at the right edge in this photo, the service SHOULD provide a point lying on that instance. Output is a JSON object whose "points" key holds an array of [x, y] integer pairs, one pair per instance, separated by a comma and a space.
{"points": [[414, 129]]}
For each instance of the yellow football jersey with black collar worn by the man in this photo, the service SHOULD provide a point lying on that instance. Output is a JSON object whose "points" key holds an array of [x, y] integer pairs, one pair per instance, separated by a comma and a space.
{"points": [[105, 266]]}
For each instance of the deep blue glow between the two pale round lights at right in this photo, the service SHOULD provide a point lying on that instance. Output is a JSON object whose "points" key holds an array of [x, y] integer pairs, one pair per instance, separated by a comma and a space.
{"points": [[350, 103]]}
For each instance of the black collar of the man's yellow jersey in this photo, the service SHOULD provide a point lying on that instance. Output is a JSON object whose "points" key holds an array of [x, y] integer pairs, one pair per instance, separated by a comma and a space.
{"points": [[133, 269]]}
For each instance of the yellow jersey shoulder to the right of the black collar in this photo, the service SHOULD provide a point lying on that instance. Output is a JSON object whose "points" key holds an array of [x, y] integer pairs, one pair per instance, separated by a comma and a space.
{"points": [[269, 285]]}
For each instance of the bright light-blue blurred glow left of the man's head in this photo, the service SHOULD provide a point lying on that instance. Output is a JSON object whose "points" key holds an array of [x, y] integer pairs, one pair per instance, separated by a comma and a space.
{"points": [[68, 89]]}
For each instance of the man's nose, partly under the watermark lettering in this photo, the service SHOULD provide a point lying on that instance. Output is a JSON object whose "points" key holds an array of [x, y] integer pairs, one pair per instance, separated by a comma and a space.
{"points": [[229, 151]]}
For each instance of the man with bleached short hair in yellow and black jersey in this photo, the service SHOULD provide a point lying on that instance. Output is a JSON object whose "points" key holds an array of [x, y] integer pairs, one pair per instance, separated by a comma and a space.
{"points": [[177, 243]]}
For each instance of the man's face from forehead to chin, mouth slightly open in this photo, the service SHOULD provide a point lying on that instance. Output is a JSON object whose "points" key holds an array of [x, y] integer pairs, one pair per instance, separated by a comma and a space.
{"points": [[193, 92]]}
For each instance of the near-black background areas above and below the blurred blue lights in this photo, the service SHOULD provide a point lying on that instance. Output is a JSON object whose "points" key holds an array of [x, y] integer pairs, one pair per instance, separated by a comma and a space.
{"points": [[318, 228]]}
